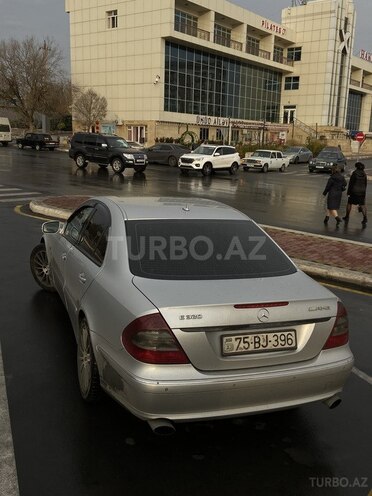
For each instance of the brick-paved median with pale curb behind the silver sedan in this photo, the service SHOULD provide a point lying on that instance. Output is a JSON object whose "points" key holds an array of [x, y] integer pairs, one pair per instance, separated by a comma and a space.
{"points": [[322, 257]]}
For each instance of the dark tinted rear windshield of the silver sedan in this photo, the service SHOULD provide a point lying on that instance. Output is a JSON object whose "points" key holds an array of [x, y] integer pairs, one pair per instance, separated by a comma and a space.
{"points": [[203, 249]]}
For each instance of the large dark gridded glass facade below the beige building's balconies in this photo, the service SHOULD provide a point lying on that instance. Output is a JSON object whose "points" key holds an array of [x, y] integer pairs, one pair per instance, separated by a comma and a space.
{"points": [[203, 83]]}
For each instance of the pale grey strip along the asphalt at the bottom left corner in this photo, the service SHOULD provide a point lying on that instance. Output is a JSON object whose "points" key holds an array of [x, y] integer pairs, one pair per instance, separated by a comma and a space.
{"points": [[8, 470]]}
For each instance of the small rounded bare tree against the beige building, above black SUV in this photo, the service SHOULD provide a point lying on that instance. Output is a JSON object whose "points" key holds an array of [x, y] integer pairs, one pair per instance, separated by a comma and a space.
{"points": [[88, 107]]}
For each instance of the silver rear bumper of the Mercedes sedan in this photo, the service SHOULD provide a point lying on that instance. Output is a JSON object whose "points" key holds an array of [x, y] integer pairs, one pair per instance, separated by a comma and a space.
{"points": [[221, 395]]}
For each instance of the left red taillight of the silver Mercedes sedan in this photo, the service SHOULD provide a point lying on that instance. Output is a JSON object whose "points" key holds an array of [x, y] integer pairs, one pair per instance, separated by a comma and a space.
{"points": [[150, 340]]}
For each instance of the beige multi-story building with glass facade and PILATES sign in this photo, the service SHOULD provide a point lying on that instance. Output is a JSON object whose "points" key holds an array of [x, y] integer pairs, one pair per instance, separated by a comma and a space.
{"points": [[217, 71]]}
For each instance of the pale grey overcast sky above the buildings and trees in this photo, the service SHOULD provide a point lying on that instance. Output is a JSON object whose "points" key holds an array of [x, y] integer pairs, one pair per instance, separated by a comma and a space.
{"points": [[47, 18]]}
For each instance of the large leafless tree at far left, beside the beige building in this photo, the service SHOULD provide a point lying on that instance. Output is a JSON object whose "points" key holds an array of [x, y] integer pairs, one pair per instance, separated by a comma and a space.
{"points": [[29, 74]]}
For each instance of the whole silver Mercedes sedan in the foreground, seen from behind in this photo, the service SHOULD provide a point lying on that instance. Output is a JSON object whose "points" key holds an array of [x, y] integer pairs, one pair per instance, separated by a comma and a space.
{"points": [[185, 309]]}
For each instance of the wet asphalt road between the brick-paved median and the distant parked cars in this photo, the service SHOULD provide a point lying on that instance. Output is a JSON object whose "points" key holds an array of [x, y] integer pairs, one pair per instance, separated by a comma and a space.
{"points": [[292, 200]]}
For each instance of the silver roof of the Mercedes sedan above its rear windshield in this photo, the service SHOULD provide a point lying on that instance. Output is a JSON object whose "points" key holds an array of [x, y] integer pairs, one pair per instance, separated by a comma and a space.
{"points": [[146, 208]]}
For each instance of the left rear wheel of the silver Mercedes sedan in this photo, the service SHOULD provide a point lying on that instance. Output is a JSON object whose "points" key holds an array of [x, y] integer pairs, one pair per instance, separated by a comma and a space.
{"points": [[88, 375]]}
